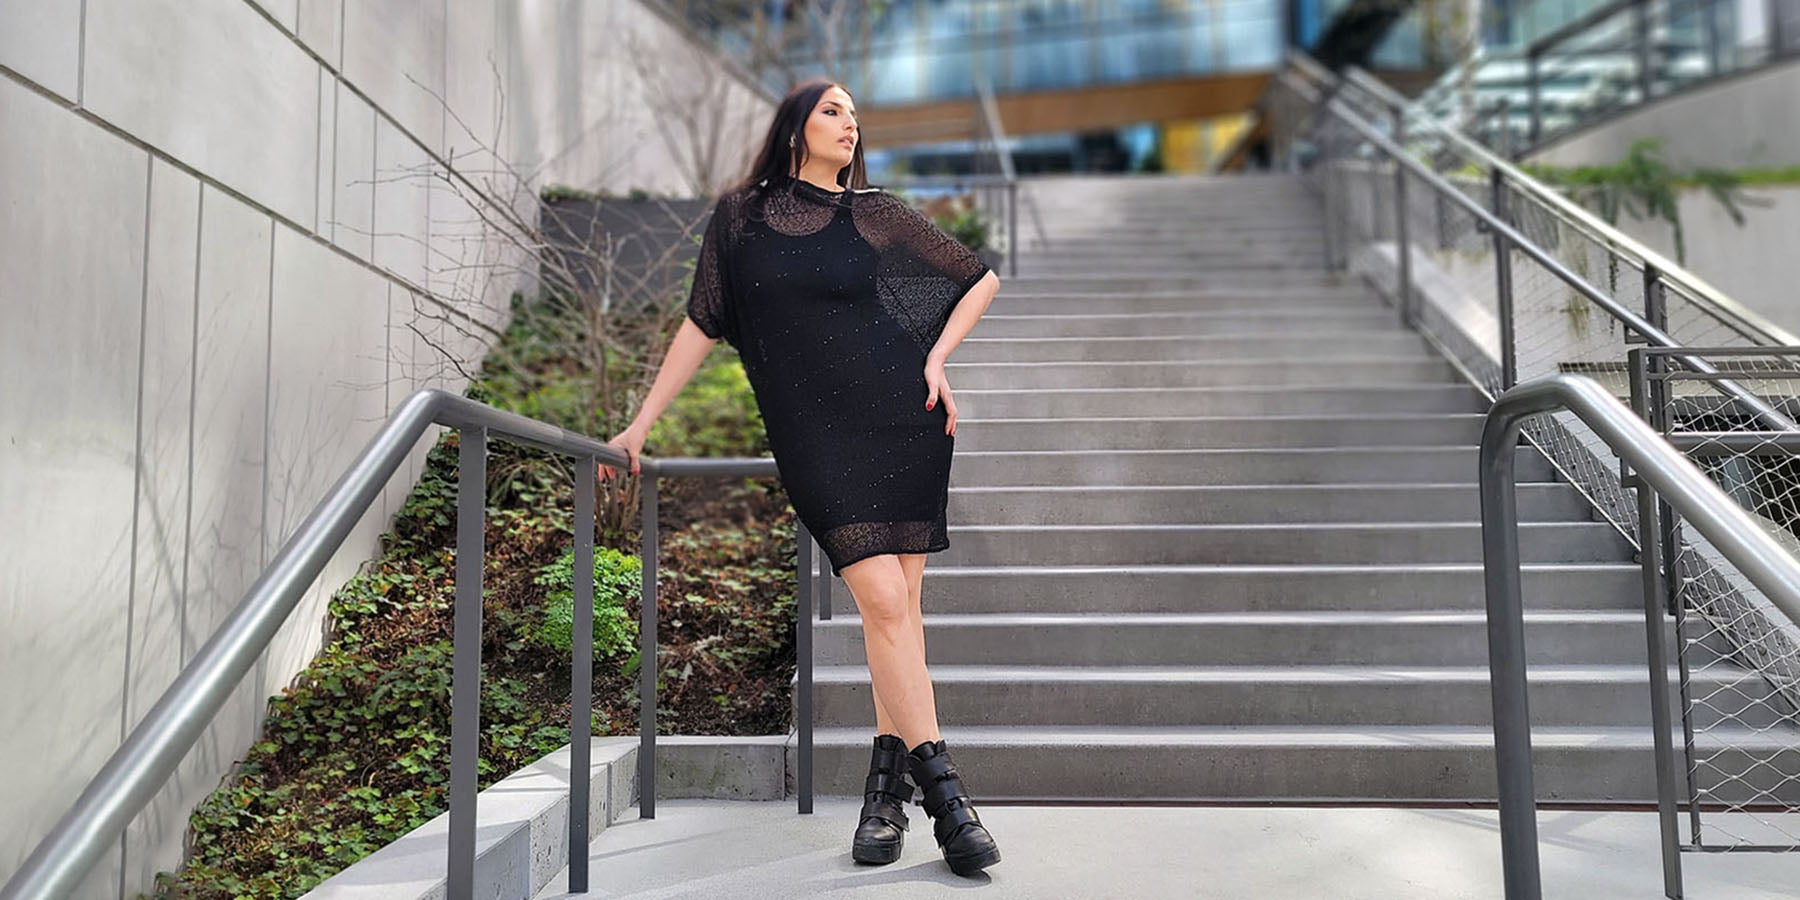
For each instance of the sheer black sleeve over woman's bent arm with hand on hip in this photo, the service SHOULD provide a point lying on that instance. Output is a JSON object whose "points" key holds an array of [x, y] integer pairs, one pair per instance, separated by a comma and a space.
{"points": [[924, 273]]}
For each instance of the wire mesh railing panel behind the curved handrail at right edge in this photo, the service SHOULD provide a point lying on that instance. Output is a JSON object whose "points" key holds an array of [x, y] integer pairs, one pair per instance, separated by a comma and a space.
{"points": [[1740, 658]]}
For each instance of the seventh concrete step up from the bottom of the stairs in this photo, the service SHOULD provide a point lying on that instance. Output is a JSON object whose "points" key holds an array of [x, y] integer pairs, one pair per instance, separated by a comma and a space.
{"points": [[1311, 465]]}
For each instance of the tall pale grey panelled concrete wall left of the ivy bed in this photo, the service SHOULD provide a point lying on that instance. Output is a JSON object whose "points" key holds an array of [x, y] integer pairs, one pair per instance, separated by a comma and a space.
{"points": [[224, 262]]}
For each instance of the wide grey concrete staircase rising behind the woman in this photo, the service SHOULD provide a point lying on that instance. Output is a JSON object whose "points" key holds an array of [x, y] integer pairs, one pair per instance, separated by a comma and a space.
{"points": [[1216, 535]]}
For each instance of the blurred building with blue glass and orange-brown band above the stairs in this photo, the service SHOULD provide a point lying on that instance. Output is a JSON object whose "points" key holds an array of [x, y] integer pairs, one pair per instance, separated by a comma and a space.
{"points": [[1081, 85]]}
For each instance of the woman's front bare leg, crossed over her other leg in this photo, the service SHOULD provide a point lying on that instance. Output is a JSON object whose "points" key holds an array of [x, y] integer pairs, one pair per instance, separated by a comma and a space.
{"points": [[894, 638]]}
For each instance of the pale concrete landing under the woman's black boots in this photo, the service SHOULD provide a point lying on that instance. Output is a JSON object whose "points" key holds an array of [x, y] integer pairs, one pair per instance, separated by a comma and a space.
{"points": [[768, 850]]}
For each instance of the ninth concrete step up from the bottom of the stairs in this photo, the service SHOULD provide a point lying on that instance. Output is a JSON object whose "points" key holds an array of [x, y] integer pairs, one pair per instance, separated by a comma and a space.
{"points": [[1295, 400]]}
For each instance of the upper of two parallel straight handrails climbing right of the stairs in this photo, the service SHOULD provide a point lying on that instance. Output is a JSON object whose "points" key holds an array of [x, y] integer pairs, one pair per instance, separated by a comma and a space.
{"points": [[1749, 323]]}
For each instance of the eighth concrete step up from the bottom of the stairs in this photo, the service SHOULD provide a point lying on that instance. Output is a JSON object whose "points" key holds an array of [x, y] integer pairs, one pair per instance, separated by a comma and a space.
{"points": [[1221, 433]]}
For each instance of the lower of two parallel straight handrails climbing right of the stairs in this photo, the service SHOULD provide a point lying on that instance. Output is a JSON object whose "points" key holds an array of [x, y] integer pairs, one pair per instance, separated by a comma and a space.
{"points": [[1525, 246]]}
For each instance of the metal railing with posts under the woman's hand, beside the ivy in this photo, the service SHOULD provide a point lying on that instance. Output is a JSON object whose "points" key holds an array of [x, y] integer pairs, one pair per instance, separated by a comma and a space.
{"points": [[156, 748]]}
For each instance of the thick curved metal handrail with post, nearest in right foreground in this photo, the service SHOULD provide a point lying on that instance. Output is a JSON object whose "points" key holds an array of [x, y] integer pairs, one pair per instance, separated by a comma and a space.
{"points": [[1684, 487]]}
